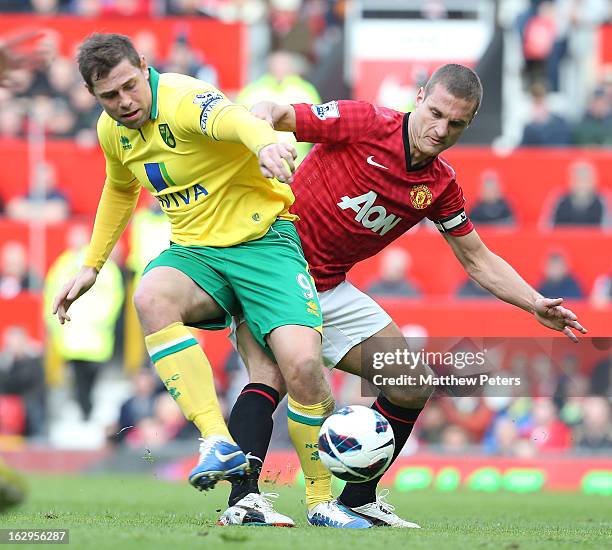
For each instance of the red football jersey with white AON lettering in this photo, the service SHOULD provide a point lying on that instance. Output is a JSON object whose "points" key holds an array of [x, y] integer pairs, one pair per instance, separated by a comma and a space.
{"points": [[356, 191]]}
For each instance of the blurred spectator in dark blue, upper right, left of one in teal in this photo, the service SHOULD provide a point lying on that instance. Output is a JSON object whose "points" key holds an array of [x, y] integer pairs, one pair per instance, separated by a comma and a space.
{"points": [[544, 128]]}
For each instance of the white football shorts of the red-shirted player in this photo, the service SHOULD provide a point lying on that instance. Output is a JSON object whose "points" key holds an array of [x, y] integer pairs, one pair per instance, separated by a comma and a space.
{"points": [[349, 318]]}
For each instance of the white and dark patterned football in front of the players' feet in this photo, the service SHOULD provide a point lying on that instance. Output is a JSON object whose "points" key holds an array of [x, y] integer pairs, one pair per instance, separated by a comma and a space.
{"points": [[356, 443]]}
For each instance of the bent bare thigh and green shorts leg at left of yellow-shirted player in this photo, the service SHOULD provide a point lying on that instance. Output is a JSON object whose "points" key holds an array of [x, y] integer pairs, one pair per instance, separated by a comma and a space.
{"points": [[182, 284]]}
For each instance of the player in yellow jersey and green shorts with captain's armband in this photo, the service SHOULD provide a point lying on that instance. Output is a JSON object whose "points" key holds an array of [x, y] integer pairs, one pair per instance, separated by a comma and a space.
{"points": [[234, 248]]}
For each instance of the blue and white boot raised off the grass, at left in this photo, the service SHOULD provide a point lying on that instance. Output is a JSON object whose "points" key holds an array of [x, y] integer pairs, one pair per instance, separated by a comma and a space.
{"points": [[219, 459]]}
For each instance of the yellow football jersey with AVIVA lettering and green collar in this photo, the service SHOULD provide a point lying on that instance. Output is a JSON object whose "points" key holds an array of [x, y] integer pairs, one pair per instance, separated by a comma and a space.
{"points": [[212, 191]]}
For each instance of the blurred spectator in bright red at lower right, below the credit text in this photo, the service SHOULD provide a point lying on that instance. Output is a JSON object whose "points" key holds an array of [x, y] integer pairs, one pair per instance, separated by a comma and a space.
{"points": [[547, 432]]}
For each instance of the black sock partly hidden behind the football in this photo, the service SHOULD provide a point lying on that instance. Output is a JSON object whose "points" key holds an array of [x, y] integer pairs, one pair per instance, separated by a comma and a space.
{"points": [[402, 421]]}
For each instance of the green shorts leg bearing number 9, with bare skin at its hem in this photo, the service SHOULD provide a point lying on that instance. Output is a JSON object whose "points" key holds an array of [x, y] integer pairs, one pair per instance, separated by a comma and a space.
{"points": [[271, 280]]}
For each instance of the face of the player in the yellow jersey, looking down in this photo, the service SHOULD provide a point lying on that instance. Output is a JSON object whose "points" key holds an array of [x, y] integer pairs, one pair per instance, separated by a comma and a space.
{"points": [[125, 94]]}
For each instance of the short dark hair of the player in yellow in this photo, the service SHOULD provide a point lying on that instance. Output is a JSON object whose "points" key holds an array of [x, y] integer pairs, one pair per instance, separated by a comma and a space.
{"points": [[100, 53]]}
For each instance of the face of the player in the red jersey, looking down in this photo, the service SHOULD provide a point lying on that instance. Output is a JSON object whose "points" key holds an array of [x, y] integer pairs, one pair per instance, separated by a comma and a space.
{"points": [[439, 120]]}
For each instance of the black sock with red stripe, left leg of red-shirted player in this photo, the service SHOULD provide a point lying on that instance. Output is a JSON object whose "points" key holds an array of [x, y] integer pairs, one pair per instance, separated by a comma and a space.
{"points": [[251, 425]]}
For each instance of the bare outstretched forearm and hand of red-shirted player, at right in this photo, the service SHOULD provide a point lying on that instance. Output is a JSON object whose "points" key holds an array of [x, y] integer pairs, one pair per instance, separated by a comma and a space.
{"points": [[500, 279]]}
